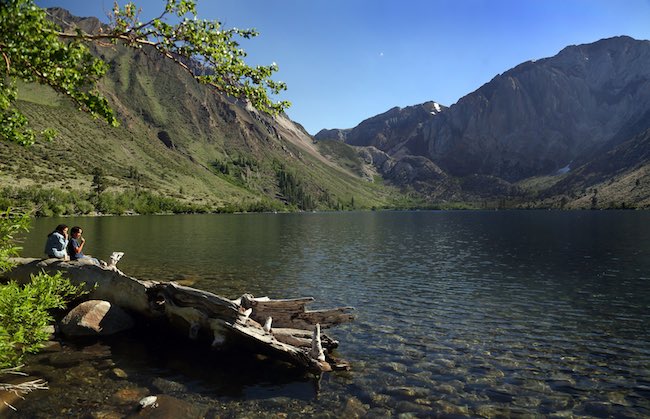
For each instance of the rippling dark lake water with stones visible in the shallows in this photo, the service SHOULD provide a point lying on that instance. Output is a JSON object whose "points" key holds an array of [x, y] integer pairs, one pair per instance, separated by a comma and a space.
{"points": [[459, 313]]}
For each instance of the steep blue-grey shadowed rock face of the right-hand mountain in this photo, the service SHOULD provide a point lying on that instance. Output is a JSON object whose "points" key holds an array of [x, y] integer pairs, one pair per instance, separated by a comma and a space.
{"points": [[541, 116]]}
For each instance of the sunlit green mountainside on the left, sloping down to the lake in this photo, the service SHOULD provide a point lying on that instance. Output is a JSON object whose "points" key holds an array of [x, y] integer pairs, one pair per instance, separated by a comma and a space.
{"points": [[178, 139]]}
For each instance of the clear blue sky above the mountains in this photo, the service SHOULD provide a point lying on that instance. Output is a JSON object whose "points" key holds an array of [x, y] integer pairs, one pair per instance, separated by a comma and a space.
{"points": [[347, 60]]}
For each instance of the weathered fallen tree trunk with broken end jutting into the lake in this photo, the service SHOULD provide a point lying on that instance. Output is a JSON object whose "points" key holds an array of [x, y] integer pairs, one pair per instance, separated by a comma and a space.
{"points": [[283, 329]]}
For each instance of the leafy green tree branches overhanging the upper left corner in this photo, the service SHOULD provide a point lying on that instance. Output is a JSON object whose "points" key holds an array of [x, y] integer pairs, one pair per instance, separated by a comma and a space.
{"points": [[36, 50]]}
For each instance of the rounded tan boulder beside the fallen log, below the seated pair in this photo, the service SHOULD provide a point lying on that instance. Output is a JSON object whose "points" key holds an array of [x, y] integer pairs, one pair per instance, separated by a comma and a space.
{"points": [[95, 318]]}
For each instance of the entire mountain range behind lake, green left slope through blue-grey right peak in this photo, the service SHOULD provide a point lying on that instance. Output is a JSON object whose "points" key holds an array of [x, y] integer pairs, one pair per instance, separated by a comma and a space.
{"points": [[569, 131]]}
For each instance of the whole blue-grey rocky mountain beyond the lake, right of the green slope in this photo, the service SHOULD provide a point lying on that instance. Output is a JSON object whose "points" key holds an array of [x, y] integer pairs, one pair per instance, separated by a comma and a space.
{"points": [[529, 133]]}
